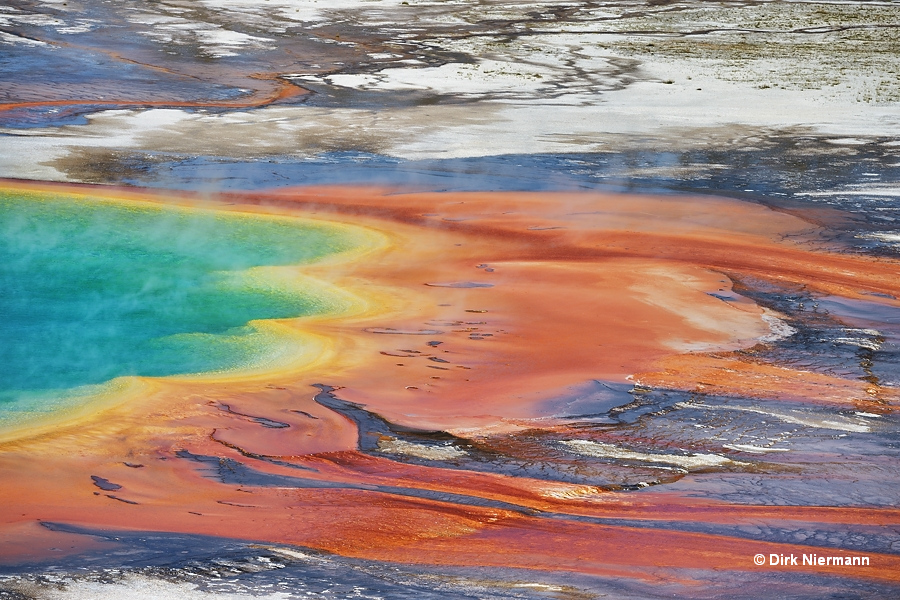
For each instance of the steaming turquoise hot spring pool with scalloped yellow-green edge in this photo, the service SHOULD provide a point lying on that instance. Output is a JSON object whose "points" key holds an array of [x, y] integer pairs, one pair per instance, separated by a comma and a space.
{"points": [[92, 290]]}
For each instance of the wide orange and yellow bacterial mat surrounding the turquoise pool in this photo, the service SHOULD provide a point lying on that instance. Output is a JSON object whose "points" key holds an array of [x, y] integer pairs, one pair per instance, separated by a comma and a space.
{"points": [[583, 287]]}
